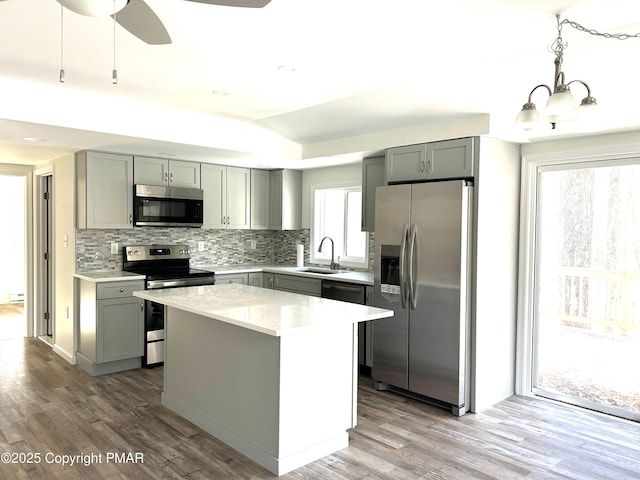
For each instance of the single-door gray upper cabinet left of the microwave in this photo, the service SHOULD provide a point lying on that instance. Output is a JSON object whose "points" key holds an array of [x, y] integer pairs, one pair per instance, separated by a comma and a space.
{"points": [[104, 190]]}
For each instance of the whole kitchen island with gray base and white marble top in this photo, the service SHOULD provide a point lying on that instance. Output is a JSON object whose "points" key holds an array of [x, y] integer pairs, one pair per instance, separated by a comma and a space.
{"points": [[272, 374]]}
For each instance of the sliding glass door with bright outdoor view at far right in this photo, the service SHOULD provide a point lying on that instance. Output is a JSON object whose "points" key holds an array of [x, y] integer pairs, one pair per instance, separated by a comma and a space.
{"points": [[586, 295]]}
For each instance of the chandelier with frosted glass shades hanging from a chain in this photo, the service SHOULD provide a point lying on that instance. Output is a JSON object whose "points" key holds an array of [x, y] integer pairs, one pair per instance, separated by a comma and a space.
{"points": [[561, 104]]}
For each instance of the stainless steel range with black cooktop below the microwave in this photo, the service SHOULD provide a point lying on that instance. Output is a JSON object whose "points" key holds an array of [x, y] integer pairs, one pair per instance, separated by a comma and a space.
{"points": [[165, 266]]}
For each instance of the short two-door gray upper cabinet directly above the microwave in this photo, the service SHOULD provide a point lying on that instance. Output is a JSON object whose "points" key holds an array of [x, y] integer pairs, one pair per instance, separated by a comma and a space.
{"points": [[163, 172]]}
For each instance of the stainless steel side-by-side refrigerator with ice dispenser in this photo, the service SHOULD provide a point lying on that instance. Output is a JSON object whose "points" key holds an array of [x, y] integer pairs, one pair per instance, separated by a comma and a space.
{"points": [[422, 264]]}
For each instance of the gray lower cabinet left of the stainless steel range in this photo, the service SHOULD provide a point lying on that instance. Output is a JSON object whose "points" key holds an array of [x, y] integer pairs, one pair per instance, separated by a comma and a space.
{"points": [[111, 327]]}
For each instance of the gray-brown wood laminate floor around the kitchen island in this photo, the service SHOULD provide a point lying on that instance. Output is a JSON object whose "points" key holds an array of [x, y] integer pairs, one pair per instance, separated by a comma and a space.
{"points": [[49, 408]]}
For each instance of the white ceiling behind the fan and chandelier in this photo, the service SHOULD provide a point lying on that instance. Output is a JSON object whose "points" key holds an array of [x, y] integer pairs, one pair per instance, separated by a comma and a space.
{"points": [[368, 74]]}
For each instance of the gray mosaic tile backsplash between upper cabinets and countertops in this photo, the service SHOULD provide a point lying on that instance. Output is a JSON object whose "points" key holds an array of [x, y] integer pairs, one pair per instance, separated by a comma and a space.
{"points": [[222, 247]]}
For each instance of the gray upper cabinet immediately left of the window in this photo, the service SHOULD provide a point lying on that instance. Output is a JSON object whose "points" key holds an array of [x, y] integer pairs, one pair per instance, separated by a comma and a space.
{"points": [[285, 191]]}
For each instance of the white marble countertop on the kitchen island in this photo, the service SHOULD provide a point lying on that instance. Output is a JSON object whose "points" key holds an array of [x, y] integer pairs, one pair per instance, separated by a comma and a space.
{"points": [[264, 310]]}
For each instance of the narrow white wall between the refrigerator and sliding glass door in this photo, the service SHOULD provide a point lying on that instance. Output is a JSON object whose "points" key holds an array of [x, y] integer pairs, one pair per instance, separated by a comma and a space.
{"points": [[496, 272]]}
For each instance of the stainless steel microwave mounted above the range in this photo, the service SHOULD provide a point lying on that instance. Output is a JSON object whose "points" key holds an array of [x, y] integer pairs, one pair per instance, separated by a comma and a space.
{"points": [[157, 206]]}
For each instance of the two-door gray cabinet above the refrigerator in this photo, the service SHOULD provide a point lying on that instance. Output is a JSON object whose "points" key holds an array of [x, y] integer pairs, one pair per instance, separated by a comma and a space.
{"points": [[431, 161]]}
